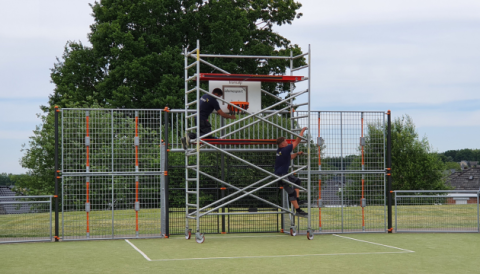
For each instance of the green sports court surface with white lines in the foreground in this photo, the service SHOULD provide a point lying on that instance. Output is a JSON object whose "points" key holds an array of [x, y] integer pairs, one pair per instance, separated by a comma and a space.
{"points": [[251, 253]]}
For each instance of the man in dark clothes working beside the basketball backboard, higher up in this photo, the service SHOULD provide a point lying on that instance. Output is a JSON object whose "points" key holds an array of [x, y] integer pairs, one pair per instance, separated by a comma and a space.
{"points": [[208, 103]]}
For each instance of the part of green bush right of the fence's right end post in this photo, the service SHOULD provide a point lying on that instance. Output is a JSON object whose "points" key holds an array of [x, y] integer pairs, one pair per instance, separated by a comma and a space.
{"points": [[414, 165]]}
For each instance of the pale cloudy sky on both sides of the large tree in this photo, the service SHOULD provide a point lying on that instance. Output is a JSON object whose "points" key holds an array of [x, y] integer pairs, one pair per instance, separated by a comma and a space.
{"points": [[419, 58]]}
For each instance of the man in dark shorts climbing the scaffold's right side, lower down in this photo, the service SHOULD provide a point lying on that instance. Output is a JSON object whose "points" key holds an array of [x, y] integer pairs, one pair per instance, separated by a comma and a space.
{"points": [[282, 164]]}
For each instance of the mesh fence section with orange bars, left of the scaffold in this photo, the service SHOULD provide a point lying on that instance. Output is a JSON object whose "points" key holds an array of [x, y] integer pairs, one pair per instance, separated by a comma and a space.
{"points": [[112, 173]]}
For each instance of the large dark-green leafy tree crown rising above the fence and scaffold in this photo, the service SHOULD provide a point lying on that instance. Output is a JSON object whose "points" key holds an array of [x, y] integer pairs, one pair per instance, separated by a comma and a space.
{"points": [[135, 60]]}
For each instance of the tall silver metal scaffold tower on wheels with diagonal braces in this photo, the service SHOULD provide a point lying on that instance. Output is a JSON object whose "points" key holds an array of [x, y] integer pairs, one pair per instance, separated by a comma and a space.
{"points": [[193, 211]]}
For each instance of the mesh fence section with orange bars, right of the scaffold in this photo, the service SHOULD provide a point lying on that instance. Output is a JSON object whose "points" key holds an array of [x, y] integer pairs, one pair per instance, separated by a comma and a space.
{"points": [[348, 171]]}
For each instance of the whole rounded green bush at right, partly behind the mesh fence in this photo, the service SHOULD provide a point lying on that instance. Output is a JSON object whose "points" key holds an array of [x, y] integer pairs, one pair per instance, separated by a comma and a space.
{"points": [[414, 165]]}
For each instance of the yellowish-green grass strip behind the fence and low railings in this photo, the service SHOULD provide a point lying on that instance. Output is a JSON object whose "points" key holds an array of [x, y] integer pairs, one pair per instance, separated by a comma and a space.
{"points": [[409, 217]]}
